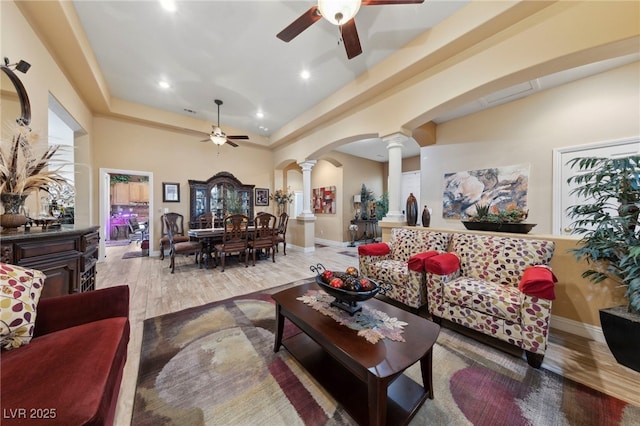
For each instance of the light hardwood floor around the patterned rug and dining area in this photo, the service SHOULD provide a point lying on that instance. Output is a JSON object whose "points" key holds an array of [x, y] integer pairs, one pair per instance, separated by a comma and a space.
{"points": [[155, 291]]}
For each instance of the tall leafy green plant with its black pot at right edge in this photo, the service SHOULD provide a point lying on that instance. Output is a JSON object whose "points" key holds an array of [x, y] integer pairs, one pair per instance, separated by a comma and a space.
{"points": [[607, 222]]}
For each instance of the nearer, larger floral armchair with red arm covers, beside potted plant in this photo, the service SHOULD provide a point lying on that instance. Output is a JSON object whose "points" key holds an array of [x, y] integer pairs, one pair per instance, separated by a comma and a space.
{"points": [[492, 284]]}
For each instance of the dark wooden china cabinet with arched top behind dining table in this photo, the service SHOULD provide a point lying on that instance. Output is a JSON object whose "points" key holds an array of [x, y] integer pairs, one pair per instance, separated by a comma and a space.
{"points": [[216, 196]]}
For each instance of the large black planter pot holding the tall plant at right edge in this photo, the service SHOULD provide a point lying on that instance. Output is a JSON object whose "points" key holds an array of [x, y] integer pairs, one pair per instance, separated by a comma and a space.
{"points": [[621, 330]]}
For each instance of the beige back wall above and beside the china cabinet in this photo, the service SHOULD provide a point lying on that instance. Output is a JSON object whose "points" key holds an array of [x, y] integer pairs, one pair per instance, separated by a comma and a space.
{"points": [[176, 157]]}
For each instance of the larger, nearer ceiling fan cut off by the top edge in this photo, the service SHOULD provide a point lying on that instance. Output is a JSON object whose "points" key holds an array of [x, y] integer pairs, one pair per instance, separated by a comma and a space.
{"points": [[340, 13]]}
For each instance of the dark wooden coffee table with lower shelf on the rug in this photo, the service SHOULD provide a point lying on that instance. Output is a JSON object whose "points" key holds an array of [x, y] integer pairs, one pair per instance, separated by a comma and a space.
{"points": [[365, 378]]}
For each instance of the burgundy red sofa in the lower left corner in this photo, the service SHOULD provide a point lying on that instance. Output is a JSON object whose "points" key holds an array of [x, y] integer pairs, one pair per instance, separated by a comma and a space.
{"points": [[70, 372]]}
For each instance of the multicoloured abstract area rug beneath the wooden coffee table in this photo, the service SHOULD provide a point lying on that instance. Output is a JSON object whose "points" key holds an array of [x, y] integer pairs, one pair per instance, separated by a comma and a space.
{"points": [[215, 365]]}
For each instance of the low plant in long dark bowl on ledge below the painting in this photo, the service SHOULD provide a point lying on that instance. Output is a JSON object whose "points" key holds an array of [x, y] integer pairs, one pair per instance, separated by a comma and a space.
{"points": [[493, 219]]}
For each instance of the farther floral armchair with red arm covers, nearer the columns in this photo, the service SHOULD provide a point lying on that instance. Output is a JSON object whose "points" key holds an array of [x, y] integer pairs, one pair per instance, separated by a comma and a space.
{"points": [[400, 262]]}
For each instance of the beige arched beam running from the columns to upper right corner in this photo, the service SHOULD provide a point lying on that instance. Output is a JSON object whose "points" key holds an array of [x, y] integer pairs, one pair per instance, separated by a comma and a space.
{"points": [[586, 32]]}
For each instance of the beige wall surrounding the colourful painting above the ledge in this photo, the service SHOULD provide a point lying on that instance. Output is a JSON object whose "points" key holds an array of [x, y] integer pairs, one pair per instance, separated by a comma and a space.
{"points": [[600, 108]]}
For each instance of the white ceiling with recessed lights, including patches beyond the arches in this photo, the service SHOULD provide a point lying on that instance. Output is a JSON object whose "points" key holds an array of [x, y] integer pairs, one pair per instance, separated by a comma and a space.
{"points": [[228, 50]]}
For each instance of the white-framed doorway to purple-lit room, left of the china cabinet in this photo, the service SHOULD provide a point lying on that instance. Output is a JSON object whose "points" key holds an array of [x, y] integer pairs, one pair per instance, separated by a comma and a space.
{"points": [[120, 210]]}
